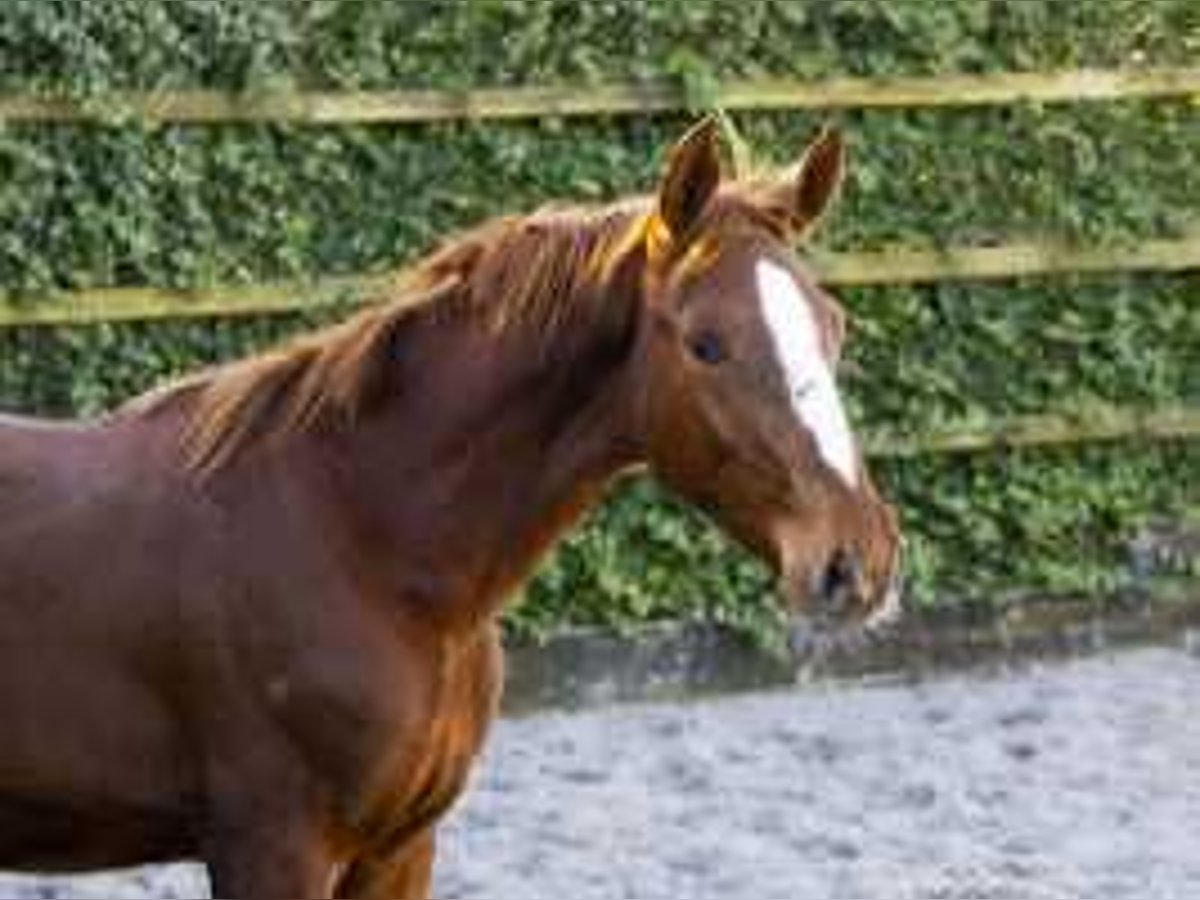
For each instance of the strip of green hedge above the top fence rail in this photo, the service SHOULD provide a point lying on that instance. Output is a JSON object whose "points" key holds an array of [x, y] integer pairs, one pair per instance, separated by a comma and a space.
{"points": [[93, 46]]}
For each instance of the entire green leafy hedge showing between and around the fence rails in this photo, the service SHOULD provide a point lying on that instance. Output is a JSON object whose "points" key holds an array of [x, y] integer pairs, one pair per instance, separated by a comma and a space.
{"points": [[184, 206]]}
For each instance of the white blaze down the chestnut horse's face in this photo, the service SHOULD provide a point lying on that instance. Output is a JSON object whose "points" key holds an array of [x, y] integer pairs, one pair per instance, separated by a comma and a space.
{"points": [[811, 386]]}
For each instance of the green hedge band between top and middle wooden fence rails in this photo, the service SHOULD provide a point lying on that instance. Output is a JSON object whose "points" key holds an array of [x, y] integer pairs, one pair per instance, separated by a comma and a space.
{"points": [[190, 206]]}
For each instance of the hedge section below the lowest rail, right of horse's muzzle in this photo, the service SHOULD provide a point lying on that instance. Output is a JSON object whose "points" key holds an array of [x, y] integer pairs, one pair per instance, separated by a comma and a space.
{"points": [[1053, 521]]}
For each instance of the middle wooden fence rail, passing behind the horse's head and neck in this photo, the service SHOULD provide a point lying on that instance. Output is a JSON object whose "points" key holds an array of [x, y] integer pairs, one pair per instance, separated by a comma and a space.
{"points": [[889, 267]]}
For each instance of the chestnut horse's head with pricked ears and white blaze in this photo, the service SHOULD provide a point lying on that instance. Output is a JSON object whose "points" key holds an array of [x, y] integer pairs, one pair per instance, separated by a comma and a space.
{"points": [[741, 411]]}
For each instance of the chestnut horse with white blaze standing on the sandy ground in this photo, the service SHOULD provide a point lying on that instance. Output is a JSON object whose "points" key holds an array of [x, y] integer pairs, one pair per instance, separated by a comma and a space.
{"points": [[250, 619]]}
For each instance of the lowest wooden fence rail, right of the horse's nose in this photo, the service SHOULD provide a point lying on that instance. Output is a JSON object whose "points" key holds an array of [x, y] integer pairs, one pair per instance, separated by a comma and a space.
{"points": [[1031, 431]]}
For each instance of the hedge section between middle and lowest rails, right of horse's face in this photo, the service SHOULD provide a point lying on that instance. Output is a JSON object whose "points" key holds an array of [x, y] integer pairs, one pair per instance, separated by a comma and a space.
{"points": [[929, 357]]}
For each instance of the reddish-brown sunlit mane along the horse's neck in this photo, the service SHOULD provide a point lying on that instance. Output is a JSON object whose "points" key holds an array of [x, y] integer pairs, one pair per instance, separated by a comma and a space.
{"points": [[538, 272]]}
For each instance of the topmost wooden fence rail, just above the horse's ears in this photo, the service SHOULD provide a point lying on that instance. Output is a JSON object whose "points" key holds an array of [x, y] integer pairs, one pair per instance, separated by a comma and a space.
{"points": [[203, 107]]}
